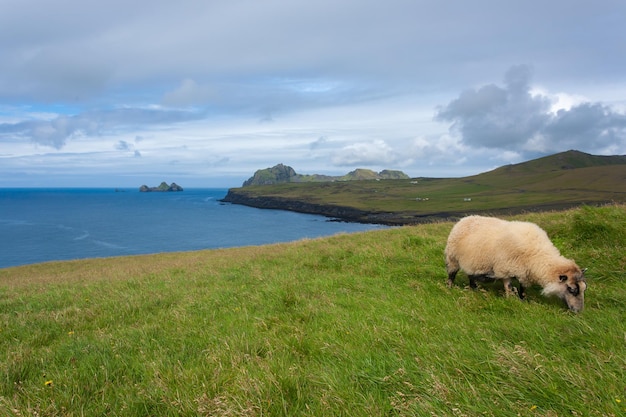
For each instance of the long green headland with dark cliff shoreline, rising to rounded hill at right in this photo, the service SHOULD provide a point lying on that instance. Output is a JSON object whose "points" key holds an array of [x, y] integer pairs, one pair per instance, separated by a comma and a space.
{"points": [[563, 180]]}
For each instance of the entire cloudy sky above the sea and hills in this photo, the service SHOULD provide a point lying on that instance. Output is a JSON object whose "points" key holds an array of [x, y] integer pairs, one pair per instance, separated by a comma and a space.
{"points": [[203, 93]]}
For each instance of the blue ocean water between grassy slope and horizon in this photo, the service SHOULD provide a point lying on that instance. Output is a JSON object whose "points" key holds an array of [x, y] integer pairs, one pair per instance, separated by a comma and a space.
{"points": [[40, 225]]}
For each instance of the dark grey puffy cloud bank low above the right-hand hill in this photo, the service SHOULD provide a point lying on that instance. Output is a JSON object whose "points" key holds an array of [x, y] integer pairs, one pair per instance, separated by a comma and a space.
{"points": [[516, 118]]}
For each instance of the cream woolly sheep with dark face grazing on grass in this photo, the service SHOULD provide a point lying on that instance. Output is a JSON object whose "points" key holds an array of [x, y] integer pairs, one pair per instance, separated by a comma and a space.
{"points": [[488, 248]]}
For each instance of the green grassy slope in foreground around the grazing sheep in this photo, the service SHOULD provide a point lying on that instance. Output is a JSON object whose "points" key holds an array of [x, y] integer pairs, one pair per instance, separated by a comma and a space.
{"points": [[351, 325]]}
